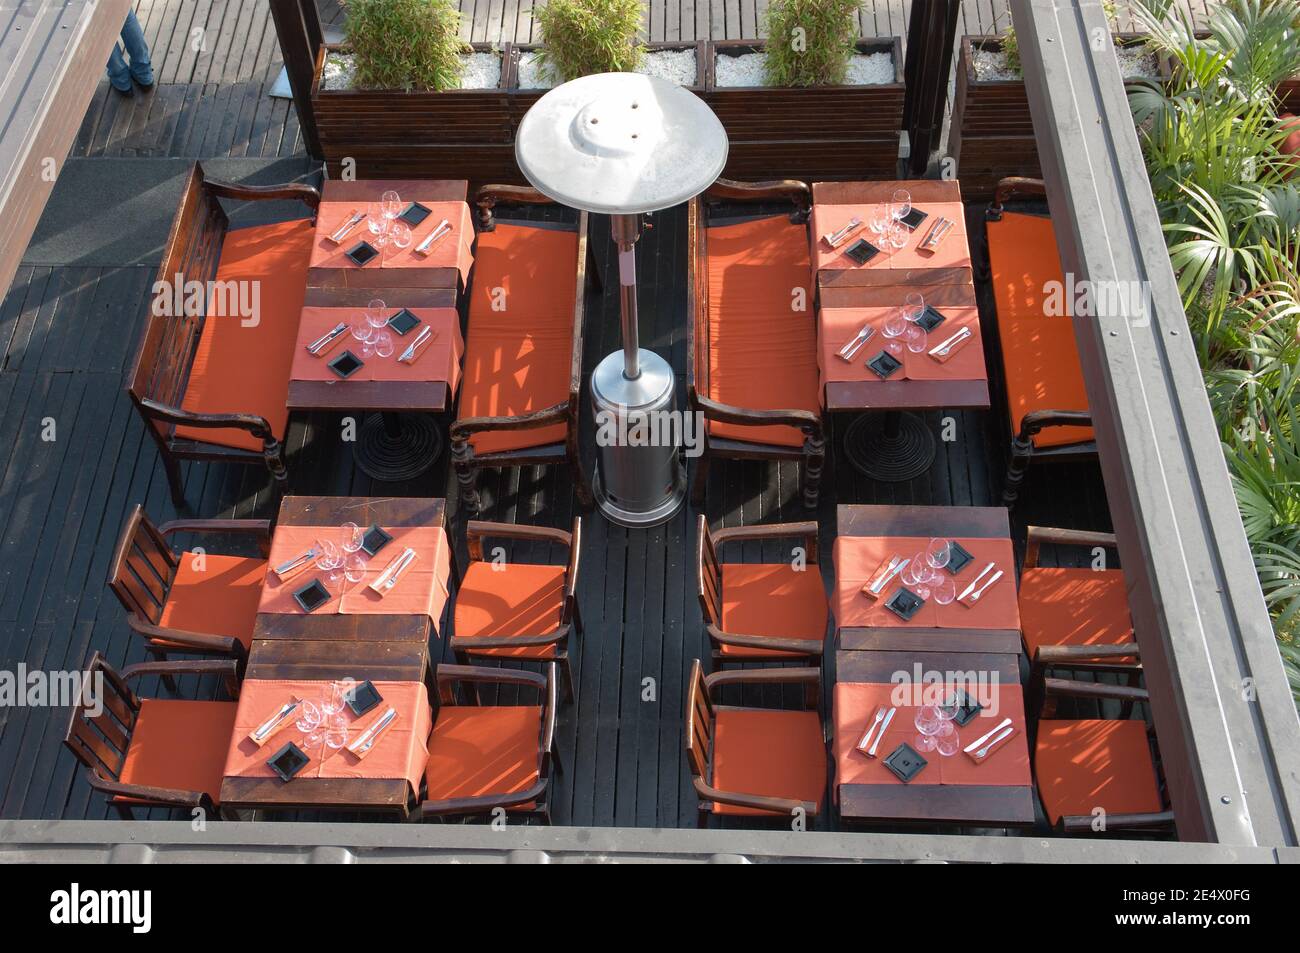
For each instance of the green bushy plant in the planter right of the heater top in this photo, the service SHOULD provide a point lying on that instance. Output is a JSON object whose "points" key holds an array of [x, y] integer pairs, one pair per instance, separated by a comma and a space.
{"points": [[809, 42]]}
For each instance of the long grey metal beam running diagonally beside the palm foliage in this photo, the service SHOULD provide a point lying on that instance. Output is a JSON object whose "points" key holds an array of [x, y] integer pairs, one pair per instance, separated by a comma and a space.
{"points": [[1228, 729]]}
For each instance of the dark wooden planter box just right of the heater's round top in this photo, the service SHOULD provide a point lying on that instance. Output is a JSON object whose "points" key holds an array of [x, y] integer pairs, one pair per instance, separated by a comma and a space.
{"points": [[809, 133]]}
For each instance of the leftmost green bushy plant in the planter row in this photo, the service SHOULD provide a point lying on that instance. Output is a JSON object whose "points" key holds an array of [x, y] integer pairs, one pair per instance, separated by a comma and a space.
{"points": [[405, 45]]}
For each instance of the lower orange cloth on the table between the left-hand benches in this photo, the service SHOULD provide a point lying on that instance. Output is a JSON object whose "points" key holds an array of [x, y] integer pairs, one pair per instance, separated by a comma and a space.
{"points": [[439, 361]]}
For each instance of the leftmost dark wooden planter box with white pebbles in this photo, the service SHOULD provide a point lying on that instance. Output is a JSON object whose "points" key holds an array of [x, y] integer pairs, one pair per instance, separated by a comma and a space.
{"points": [[396, 135]]}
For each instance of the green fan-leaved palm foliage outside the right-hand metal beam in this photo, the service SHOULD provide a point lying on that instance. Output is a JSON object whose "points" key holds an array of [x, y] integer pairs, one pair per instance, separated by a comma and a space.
{"points": [[1232, 214]]}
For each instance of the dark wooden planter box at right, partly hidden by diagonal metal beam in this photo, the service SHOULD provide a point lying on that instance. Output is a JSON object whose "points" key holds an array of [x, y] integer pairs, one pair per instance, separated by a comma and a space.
{"points": [[993, 132]]}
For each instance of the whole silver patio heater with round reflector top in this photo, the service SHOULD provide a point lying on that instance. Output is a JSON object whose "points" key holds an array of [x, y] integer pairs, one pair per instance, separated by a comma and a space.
{"points": [[625, 145]]}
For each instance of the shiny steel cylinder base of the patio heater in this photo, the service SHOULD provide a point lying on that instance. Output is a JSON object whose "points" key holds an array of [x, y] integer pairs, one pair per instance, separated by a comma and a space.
{"points": [[640, 479]]}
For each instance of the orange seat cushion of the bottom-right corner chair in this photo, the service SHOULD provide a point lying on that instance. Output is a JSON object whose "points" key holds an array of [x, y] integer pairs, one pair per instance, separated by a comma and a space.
{"points": [[1094, 764]]}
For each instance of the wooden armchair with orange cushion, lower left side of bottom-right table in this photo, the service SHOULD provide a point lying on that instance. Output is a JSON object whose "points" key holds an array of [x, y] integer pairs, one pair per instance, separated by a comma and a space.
{"points": [[756, 763]]}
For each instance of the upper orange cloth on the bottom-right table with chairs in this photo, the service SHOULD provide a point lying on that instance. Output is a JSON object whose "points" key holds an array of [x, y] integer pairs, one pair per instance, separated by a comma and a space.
{"points": [[859, 557]]}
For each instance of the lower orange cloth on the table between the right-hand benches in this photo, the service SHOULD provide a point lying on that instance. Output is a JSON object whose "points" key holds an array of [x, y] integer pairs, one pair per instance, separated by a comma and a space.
{"points": [[838, 327]]}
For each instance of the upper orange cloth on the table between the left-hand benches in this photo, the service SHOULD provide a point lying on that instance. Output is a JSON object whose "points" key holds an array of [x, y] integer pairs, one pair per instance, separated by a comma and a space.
{"points": [[453, 252]]}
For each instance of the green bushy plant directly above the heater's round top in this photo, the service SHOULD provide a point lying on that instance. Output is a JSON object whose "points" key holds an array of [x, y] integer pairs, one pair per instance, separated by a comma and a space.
{"points": [[584, 37]]}
